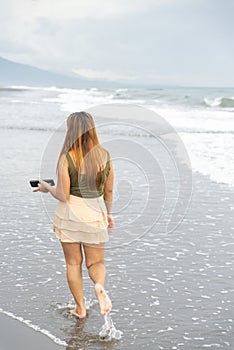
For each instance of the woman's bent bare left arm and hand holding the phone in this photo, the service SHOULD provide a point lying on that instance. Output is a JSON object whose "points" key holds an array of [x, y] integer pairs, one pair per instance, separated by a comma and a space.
{"points": [[62, 190]]}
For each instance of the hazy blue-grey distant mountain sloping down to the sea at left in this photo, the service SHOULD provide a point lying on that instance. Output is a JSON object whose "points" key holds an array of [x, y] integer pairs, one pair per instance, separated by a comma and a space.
{"points": [[12, 73]]}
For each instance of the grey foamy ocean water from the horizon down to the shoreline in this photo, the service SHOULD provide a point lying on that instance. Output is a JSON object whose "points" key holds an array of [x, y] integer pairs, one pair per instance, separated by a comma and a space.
{"points": [[170, 259]]}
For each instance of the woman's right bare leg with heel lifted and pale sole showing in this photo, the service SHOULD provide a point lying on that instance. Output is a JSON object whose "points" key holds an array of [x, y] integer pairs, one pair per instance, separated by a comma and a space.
{"points": [[94, 256]]}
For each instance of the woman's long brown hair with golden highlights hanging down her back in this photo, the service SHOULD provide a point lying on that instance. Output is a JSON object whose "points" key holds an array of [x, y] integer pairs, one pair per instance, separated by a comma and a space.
{"points": [[82, 139]]}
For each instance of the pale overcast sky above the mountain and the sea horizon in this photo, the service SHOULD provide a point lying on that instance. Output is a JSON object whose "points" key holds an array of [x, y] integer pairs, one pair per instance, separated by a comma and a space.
{"points": [[154, 42]]}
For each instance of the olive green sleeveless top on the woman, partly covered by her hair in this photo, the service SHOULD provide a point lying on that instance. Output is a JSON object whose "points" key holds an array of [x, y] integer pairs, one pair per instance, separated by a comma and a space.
{"points": [[81, 189]]}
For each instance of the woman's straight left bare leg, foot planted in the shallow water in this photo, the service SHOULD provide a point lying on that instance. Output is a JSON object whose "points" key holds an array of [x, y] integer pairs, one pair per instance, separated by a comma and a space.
{"points": [[74, 258]]}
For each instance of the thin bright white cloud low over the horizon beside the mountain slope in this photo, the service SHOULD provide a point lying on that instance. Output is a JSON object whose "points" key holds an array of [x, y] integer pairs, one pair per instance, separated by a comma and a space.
{"points": [[103, 75]]}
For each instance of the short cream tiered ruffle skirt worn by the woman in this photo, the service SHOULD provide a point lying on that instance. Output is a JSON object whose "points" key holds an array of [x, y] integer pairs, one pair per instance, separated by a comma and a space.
{"points": [[81, 220]]}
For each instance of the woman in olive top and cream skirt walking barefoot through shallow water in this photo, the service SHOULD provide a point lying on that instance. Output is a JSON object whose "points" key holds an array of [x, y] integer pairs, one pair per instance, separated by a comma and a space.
{"points": [[83, 214]]}
